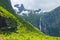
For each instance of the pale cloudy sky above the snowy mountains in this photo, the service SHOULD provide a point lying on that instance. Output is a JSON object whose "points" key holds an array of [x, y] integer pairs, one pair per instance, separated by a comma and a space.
{"points": [[45, 5]]}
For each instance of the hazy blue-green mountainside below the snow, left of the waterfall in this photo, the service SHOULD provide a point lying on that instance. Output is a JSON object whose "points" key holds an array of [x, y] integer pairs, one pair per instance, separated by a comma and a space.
{"points": [[33, 18]]}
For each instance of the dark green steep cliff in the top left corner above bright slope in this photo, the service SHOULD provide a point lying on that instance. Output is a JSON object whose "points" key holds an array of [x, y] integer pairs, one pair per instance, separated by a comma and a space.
{"points": [[7, 5]]}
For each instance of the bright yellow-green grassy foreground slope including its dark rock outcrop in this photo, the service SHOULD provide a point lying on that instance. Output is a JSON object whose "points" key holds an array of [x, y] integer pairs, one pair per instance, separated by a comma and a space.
{"points": [[16, 28]]}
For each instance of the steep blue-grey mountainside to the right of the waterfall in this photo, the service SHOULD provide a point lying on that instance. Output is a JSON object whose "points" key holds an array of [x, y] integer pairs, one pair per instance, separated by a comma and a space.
{"points": [[50, 22]]}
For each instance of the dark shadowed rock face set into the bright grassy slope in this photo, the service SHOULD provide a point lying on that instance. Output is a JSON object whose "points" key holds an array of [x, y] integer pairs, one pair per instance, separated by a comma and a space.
{"points": [[7, 24]]}
